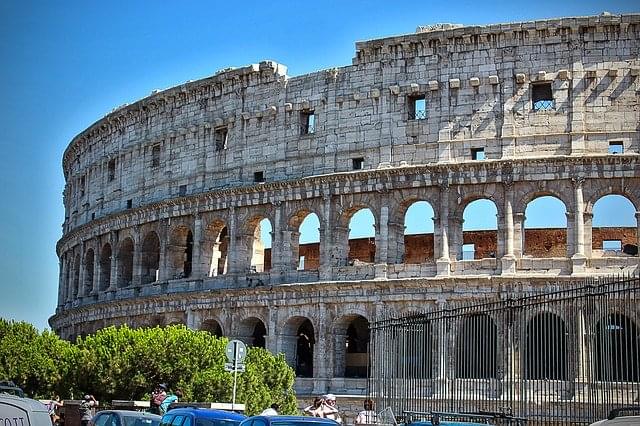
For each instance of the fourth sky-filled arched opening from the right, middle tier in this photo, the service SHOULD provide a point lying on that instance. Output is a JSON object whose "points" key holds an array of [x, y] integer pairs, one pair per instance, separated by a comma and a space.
{"points": [[418, 233]]}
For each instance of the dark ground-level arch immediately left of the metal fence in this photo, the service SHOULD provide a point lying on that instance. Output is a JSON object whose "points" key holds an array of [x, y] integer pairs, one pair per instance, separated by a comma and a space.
{"points": [[351, 348]]}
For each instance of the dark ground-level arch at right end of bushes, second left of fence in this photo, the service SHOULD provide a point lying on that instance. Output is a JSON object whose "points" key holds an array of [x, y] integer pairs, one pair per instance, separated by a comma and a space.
{"points": [[299, 343]]}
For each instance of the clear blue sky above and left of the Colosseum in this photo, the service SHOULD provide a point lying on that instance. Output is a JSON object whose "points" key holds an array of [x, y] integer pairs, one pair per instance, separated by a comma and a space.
{"points": [[66, 64]]}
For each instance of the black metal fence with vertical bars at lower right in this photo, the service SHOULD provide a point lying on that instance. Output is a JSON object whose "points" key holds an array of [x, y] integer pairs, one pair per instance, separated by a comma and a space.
{"points": [[569, 355]]}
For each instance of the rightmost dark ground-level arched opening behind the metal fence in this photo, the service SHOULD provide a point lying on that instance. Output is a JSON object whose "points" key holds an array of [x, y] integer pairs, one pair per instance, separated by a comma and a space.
{"points": [[617, 356]]}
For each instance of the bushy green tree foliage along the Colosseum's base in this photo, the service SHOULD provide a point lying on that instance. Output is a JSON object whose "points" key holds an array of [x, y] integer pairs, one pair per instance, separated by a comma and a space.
{"points": [[126, 363]]}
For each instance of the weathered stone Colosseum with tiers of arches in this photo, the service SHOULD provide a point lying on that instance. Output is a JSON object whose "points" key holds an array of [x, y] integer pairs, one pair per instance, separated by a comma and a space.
{"points": [[168, 200]]}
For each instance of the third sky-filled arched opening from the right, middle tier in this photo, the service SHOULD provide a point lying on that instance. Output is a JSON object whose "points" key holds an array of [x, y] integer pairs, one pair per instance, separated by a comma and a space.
{"points": [[479, 230]]}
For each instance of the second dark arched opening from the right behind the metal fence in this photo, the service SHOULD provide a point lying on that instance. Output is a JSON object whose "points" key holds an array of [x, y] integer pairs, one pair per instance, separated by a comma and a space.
{"points": [[545, 352]]}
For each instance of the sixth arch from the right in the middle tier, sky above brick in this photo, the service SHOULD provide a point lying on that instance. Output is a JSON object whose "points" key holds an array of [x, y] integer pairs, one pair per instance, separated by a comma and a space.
{"points": [[305, 244]]}
